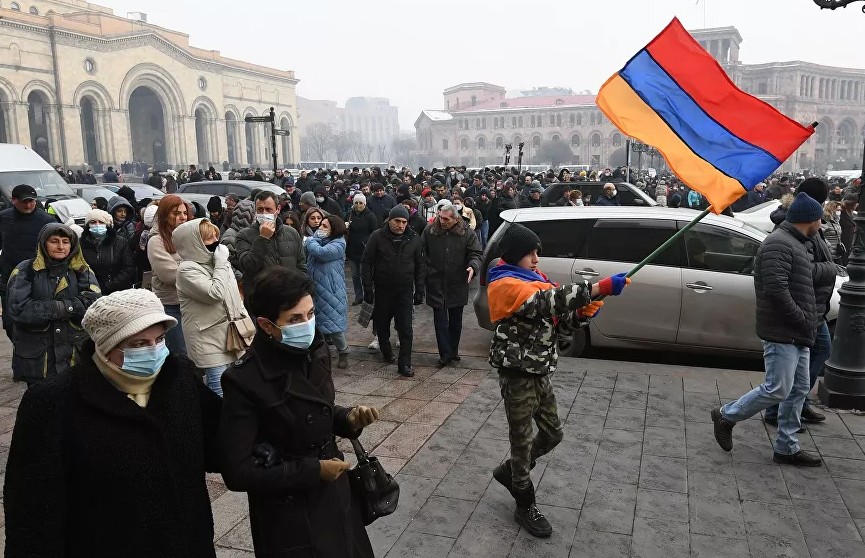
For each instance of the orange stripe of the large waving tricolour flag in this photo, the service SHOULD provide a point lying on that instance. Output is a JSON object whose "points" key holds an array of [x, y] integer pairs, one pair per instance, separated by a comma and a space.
{"points": [[637, 119]]}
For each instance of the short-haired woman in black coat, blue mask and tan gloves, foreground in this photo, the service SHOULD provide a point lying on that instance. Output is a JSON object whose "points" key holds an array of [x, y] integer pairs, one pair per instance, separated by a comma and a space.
{"points": [[281, 393]]}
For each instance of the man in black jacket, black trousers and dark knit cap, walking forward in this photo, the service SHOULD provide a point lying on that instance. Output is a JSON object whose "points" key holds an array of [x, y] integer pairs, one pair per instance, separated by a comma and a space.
{"points": [[394, 267]]}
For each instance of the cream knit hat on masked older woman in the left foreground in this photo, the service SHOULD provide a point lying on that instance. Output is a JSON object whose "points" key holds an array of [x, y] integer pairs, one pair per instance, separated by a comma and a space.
{"points": [[122, 314]]}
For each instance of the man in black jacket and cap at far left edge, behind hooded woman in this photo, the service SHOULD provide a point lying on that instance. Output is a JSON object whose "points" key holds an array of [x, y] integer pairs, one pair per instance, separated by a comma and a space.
{"points": [[19, 235]]}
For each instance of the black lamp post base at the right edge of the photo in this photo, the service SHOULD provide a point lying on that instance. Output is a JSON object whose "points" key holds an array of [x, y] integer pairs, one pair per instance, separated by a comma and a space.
{"points": [[843, 384]]}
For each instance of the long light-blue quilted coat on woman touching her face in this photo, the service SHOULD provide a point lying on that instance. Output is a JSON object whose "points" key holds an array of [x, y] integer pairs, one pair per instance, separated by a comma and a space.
{"points": [[325, 264]]}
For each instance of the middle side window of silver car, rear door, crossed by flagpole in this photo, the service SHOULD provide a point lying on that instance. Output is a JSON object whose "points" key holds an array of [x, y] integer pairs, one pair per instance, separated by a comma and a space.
{"points": [[631, 240]]}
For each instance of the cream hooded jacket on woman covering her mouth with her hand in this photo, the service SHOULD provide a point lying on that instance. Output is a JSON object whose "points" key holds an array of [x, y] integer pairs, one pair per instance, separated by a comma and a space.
{"points": [[209, 298]]}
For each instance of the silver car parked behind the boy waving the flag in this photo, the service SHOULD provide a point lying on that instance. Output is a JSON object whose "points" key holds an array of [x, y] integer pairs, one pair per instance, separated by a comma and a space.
{"points": [[697, 296]]}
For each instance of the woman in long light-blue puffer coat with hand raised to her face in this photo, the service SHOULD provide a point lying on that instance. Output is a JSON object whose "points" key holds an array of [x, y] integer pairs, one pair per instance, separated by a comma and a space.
{"points": [[325, 264]]}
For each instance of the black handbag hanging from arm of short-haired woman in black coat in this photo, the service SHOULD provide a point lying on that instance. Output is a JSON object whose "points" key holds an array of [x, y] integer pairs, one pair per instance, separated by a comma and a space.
{"points": [[373, 490]]}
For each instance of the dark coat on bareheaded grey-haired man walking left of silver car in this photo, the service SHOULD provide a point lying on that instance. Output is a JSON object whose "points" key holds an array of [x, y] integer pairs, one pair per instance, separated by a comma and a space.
{"points": [[448, 254]]}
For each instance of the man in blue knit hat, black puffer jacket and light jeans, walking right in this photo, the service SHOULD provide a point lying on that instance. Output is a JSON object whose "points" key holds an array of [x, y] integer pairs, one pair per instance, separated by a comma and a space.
{"points": [[787, 318]]}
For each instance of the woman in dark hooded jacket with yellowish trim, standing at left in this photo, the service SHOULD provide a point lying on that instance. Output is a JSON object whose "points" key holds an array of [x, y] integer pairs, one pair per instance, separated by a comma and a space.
{"points": [[47, 297]]}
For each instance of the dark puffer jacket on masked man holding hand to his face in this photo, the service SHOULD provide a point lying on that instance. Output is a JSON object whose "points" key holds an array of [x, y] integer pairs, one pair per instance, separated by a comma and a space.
{"points": [[253, 253]]}
